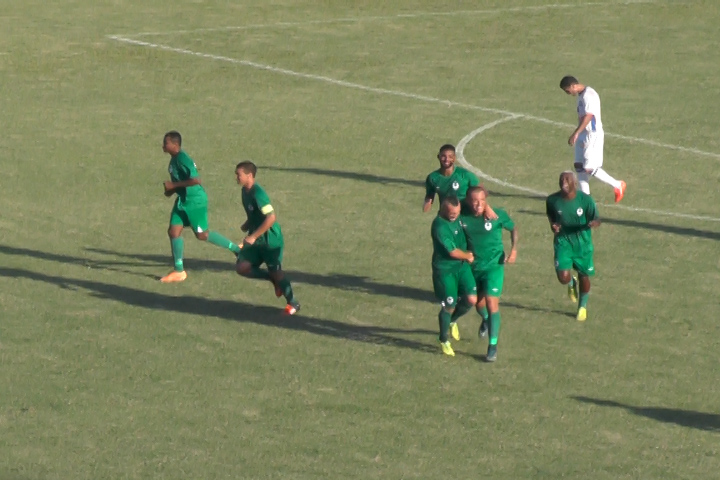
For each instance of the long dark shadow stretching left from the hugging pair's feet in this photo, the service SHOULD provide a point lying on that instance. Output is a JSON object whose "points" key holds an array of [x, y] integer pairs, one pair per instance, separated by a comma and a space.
{"points": [[233, 311]]}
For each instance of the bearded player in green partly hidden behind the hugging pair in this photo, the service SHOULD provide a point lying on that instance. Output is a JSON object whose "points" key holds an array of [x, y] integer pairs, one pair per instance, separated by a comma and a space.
{"points": [[448, 180]]}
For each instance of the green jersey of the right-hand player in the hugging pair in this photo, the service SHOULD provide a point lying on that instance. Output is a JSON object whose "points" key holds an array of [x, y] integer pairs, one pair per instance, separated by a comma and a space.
{"points": [[485, 238]]}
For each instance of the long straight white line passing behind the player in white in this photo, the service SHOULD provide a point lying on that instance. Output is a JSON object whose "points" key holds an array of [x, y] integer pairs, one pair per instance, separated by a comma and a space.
{"points": [[398, 93]]}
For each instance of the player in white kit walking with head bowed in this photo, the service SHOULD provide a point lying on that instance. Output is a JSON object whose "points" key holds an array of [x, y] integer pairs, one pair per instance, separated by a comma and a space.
{"points": [[589, 138]]}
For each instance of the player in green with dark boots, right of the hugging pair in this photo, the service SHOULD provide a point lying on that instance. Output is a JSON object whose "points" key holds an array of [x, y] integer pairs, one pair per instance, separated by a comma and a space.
{"points": [[486, 244]]}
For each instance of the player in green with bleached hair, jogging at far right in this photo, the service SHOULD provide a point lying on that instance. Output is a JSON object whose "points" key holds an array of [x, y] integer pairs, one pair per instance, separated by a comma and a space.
{"points": [[572, 215]]}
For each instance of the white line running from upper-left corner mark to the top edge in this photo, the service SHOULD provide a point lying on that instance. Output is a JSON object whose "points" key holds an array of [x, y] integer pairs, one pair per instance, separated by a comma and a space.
{"points": [[490, 11]]}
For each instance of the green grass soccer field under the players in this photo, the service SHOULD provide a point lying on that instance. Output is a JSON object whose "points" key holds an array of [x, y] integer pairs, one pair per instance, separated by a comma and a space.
{"points": [[106, 373]]}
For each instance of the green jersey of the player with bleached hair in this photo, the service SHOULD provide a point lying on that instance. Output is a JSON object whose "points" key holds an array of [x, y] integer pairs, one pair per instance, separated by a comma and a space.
{"points": [[573, 216]]}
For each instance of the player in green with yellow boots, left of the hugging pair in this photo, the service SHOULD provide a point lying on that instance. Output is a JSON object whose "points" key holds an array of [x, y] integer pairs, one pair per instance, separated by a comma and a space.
{"points": [[452, 277]]}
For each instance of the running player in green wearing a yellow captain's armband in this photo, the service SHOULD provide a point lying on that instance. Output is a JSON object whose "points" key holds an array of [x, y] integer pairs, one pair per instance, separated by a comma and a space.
{"points": [[264, 242]]}
